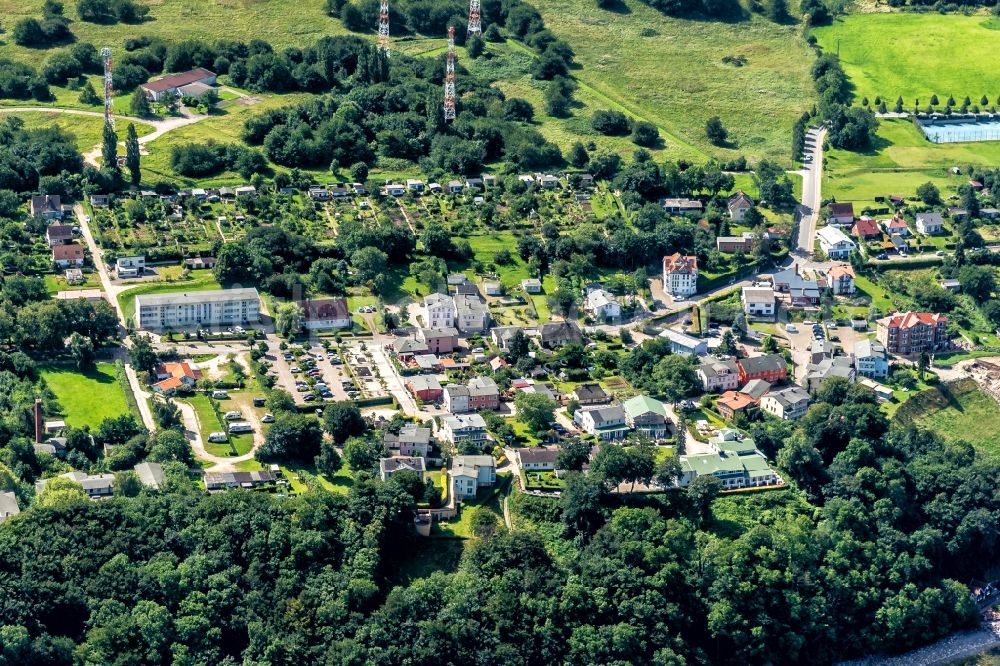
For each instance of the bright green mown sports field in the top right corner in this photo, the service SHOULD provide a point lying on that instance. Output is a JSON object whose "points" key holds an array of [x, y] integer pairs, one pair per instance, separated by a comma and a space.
{"points": [[917, 55]]}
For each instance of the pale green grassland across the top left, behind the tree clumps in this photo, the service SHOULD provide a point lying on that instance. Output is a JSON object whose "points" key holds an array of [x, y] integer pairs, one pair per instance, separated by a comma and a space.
{"points": [[281, 22]]}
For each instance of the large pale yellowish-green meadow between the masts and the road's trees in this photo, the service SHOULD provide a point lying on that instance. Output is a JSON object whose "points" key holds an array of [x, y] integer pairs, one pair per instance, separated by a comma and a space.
{"points": [[677, 80]]}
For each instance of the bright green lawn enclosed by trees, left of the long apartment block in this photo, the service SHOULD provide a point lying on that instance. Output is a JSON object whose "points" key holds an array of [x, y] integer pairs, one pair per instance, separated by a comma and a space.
{"points": [[87, 397]]}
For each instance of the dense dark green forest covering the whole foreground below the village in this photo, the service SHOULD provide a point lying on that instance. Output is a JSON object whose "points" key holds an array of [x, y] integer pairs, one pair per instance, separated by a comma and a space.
{"points": [[868, 552]]}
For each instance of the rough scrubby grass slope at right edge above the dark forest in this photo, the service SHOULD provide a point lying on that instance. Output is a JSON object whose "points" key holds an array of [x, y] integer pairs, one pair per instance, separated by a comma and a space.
{"points": [[957, 411]]}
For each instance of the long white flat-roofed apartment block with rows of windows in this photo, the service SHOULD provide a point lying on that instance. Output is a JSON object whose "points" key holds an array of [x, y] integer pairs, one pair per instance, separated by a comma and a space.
{"points": [[221, 307]]}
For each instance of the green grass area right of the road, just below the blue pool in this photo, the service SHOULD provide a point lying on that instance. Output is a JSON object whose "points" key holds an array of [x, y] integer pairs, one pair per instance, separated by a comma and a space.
{"points": [[901, 160]]}
